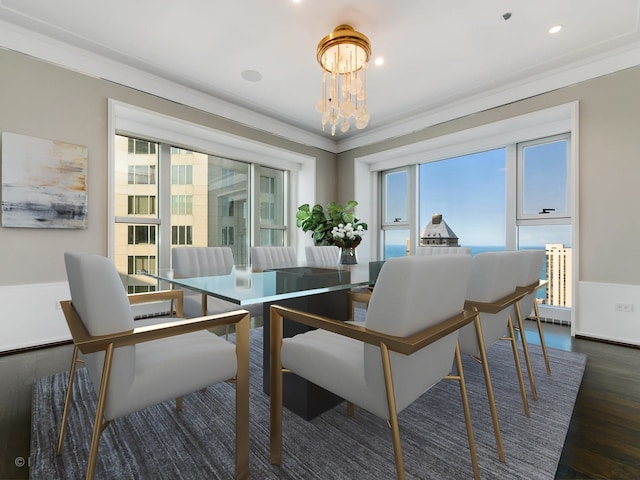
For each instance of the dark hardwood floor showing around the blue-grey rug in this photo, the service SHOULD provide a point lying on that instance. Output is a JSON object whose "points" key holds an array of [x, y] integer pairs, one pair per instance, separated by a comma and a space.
{"points": [[603, 441]]}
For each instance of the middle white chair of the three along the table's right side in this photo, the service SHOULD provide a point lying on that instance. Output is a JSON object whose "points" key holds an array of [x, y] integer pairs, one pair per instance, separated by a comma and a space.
{"points": [[492, 293]]}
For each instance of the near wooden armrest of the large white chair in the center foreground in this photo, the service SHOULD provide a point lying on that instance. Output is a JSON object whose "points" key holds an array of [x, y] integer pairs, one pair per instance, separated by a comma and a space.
{"points": [[405, 345]]}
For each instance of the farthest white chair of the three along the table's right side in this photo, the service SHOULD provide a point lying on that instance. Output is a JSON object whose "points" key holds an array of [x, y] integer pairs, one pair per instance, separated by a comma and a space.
{"points": [[529, 282]]}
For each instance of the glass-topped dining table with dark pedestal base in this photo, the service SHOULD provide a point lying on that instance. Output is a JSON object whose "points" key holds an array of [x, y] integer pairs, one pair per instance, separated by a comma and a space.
{"points": [[318, 289]]}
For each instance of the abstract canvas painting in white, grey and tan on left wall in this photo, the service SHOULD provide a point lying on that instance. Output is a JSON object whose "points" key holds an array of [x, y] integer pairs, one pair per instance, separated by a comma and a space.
{"points": [[44, 183]]}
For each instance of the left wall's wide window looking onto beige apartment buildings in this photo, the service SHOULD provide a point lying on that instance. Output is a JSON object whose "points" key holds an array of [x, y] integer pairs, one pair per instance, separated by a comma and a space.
{"points": [[203, 201]]}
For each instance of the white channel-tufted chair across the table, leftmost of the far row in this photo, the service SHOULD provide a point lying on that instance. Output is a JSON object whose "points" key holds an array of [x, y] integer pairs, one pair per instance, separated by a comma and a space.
{"points": [[204, 262]]}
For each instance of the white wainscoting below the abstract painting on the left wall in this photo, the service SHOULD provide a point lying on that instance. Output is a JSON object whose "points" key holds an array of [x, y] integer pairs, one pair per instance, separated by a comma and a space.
{"points": [[31, 315]]}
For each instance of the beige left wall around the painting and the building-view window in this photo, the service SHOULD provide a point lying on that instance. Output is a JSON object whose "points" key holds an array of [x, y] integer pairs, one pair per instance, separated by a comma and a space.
{"points": [[45, 101]]}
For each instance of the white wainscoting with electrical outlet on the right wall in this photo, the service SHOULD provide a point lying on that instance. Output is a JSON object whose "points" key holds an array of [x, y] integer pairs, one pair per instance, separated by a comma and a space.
{"points": [[597, 316]]}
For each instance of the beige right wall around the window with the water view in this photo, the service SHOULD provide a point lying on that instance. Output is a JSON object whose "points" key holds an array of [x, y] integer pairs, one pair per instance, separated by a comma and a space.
{"points": [[609, 169]]}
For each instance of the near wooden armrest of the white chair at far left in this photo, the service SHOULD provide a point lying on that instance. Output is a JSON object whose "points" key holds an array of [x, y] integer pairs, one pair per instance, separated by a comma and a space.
{"points": [[90, 344]]}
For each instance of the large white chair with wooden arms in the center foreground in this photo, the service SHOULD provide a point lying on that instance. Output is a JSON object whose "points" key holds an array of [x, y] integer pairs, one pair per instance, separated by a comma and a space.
{"points": [[409, 344]]}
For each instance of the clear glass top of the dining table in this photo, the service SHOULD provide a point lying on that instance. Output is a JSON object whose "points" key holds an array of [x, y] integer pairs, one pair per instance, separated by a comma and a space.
{"points": [[244, 287]]}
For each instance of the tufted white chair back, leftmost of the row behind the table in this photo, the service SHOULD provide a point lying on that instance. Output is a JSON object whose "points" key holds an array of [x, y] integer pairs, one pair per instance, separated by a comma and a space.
{"points": [[201, 261]]}
